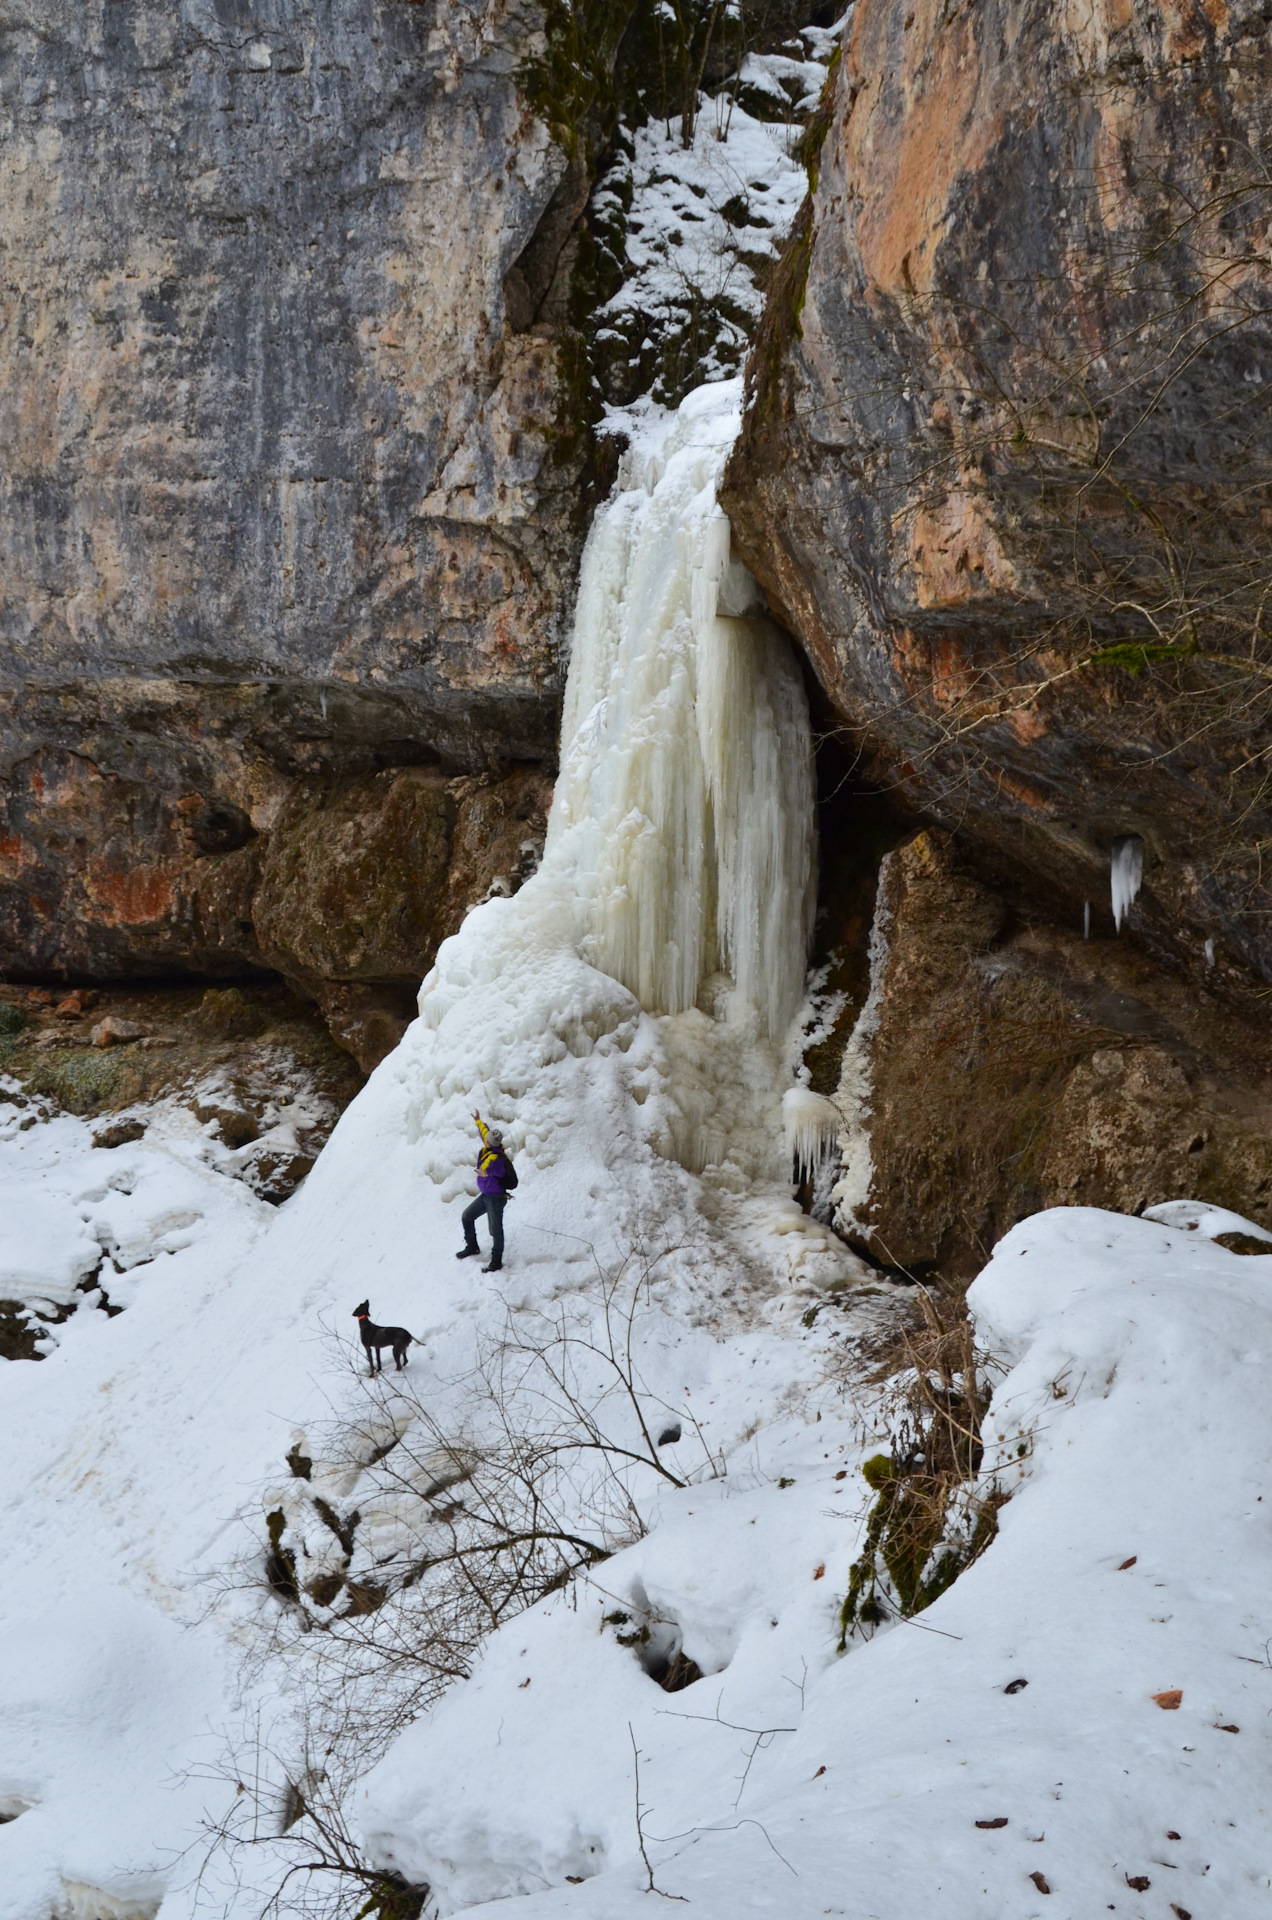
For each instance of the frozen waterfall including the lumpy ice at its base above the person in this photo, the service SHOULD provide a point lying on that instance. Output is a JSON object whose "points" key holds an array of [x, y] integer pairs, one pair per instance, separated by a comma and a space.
{"points": [[679, 873]]}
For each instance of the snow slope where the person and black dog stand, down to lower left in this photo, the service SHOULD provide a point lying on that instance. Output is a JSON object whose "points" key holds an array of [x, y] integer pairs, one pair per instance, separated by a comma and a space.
{"points": [[143, 1454]]}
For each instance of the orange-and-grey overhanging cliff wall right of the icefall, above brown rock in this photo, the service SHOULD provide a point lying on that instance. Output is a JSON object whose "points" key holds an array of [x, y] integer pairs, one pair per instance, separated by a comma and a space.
{"points": [[1008, 469]]}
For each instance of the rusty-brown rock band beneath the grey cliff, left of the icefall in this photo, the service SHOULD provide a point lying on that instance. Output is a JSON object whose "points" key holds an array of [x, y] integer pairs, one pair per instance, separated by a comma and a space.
{"points": [[345, 890]]}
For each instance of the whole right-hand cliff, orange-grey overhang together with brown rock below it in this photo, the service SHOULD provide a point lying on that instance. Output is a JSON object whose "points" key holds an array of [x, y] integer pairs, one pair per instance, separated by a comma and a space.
{"points": [[1008, 477]]}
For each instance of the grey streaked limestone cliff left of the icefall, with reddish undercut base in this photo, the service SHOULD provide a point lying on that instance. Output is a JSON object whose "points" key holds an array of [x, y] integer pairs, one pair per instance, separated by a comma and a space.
{"points": [[293, 452]]}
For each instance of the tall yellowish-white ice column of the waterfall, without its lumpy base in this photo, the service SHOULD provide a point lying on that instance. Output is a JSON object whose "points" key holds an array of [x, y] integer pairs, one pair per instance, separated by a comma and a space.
{"points": [[685, 802]]}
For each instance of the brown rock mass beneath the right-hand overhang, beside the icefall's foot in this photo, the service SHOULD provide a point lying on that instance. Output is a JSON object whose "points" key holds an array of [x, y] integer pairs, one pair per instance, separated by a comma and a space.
{"points": [[1014, 1067]]}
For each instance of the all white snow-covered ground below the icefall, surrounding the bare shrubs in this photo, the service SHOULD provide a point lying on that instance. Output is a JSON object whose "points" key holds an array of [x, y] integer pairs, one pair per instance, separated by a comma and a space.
{"points": [[1133, 1562]]}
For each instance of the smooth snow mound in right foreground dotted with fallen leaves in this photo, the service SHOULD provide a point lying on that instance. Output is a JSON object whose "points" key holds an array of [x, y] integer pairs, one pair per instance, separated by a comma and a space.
{"points": [[1133, 1562]]}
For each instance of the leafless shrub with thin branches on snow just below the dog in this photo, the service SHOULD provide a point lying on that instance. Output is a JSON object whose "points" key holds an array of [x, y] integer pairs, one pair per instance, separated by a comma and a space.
{"points": [[420, 1522]]}
